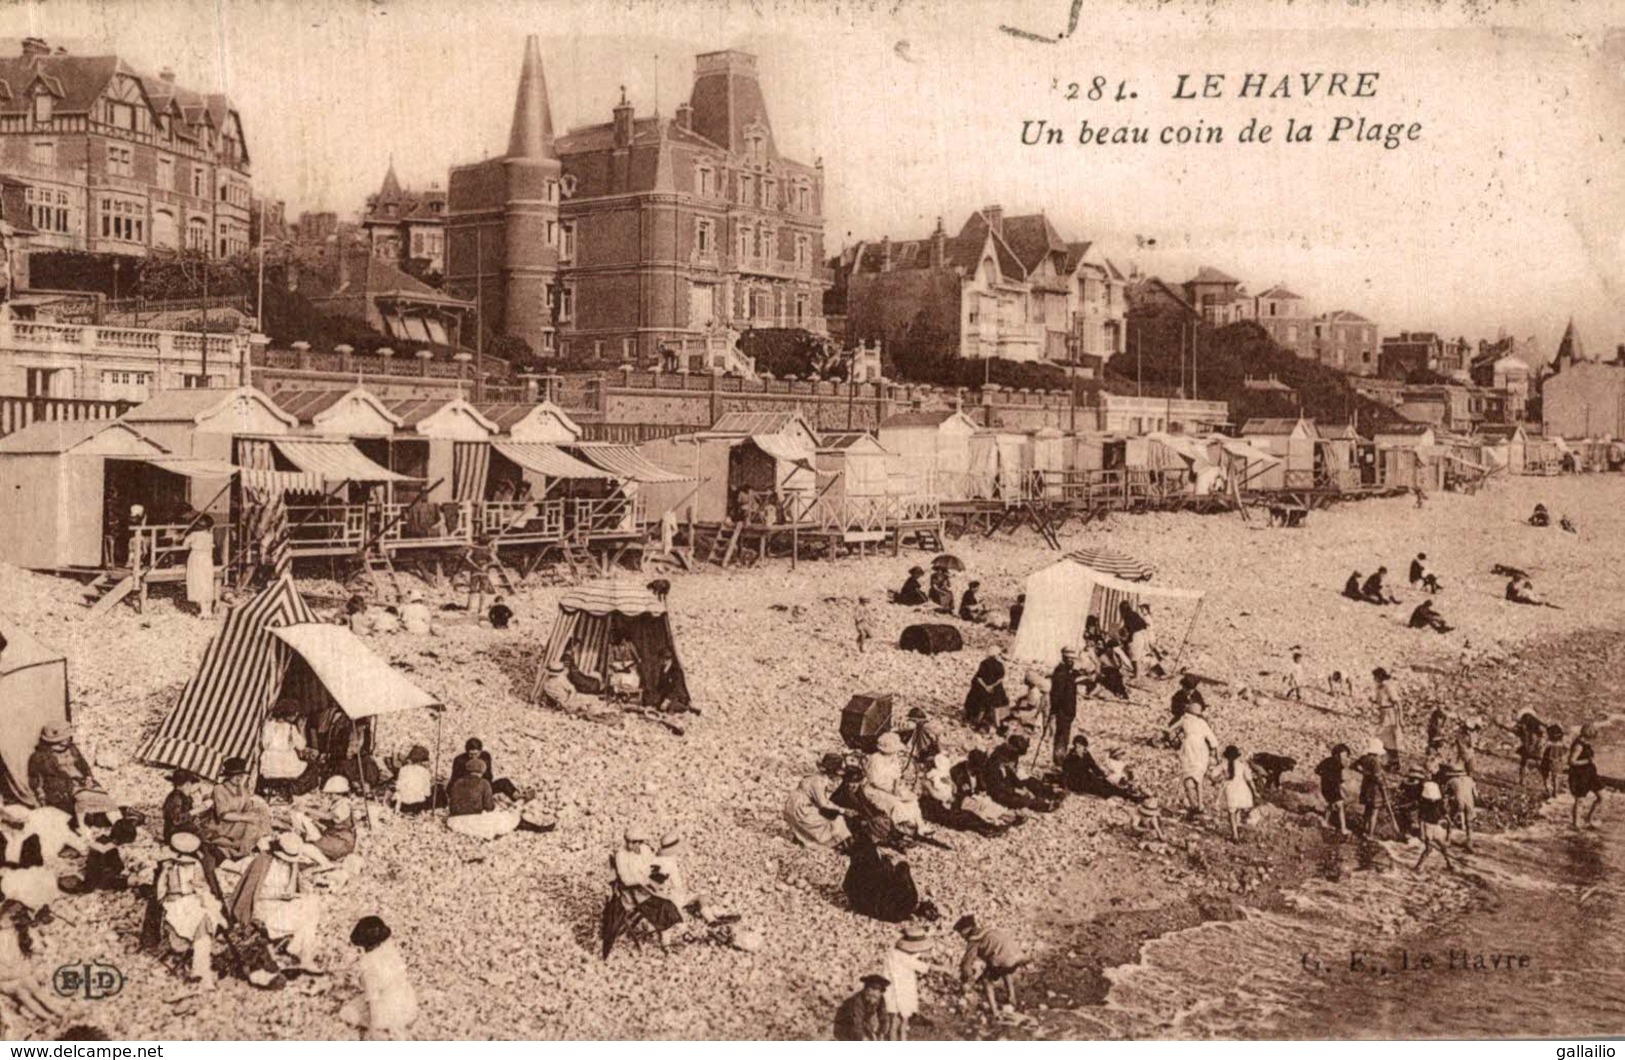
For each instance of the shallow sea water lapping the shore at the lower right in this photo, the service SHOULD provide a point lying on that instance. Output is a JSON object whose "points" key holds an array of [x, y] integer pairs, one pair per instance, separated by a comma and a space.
{"points": [[1527, 939]]}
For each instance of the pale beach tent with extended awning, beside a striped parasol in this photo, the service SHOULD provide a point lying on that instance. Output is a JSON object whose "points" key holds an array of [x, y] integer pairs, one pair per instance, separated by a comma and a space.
{"points": [[1065, 594]]}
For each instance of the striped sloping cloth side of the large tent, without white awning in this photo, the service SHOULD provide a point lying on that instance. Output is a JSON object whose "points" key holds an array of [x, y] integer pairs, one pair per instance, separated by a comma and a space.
{"points": [[223, 706]]}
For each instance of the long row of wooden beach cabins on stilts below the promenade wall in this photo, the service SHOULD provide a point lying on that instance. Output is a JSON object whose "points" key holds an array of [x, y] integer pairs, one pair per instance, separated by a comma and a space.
{"points": [[347, 477]]}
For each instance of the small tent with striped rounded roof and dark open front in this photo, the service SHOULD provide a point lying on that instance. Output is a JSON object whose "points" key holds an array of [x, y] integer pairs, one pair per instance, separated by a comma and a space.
{"points": [[594, 615]]}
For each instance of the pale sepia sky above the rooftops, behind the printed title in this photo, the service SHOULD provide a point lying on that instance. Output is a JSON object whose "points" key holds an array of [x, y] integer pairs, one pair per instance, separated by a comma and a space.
{"points": [[1506, 215]]}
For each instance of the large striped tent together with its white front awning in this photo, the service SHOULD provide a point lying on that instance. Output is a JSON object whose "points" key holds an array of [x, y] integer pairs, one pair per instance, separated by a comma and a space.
{"points": [[266, 646]]}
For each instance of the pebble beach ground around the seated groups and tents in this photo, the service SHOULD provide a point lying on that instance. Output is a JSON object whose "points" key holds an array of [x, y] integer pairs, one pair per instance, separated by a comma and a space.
{"points": [[503, 937]]}
